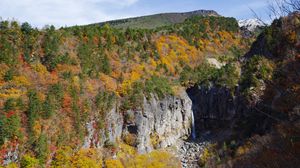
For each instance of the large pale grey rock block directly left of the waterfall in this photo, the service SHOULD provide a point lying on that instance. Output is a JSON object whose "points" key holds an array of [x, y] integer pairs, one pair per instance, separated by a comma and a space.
{"points": [[160, 123]]}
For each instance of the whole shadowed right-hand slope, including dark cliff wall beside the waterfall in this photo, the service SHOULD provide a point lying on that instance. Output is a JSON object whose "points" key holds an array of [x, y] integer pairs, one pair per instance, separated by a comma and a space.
{"points": [[261, 119]]}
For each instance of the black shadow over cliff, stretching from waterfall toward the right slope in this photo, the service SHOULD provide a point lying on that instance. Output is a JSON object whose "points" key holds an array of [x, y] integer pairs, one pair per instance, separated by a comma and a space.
{"points": [[221, 115]]}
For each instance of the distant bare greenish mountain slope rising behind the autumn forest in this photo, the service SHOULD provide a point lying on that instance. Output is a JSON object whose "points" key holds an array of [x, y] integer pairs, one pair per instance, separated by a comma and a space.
{"points": [[157, 20]]}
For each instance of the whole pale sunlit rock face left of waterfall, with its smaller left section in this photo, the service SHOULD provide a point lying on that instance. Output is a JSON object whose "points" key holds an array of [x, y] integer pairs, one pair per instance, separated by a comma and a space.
{"points": [[157, 124]]}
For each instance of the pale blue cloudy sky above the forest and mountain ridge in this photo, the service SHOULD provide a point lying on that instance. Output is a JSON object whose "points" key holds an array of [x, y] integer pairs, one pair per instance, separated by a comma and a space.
{"points": [[80, 12]]}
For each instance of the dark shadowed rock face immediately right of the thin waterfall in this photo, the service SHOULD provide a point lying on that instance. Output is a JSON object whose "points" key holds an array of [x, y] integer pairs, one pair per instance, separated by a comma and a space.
{"points": [[213, 107]]}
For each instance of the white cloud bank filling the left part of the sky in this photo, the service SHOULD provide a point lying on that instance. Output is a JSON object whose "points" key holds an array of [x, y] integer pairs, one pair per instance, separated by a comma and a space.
{"points": [[62, 12]]}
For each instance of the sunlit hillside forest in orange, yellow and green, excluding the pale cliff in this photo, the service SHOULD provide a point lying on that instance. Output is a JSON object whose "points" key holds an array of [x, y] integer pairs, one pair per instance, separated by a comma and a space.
{"points": [[53, 81]]}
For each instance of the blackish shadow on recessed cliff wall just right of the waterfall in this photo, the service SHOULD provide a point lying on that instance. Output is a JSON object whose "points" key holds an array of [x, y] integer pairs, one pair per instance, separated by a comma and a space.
{"points": [[215, 112]]}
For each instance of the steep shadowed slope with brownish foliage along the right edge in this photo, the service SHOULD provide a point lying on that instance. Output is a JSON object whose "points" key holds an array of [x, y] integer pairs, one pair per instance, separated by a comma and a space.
{"points": [[279, 95]]}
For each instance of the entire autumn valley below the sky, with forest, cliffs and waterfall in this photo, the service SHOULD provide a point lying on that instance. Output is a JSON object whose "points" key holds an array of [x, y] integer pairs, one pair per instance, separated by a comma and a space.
{"points": [[187, 90]]}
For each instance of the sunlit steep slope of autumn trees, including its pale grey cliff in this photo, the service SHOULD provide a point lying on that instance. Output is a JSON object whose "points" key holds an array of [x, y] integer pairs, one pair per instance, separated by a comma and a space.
{"points": [[100, 95]]}
